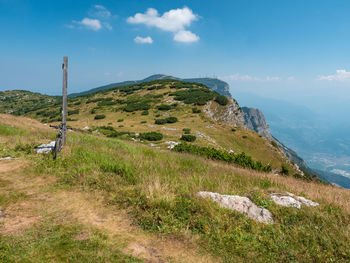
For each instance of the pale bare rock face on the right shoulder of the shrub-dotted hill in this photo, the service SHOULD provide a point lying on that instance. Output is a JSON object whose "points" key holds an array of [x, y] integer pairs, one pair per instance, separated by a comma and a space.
{"points": [[230, 114]]}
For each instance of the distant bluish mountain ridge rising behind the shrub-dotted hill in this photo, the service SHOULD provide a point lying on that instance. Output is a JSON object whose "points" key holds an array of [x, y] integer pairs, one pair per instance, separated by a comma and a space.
{"points": [[212, 83]]}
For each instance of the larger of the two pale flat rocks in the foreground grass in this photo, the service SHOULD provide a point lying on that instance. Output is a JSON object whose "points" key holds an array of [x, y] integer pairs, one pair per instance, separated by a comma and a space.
{"points": [[240, 204]]}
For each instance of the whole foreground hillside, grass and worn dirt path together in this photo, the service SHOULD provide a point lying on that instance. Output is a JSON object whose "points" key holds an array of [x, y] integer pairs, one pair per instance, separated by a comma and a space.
{"points": [[111, 200]]}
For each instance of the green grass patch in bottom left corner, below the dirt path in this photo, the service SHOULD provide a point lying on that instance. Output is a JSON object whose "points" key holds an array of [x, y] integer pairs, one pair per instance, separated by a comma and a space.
{"points": [[53, 242]]}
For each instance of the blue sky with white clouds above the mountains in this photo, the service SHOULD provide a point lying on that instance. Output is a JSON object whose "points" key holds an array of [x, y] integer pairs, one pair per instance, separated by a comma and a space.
{"points": [[289, 50]]}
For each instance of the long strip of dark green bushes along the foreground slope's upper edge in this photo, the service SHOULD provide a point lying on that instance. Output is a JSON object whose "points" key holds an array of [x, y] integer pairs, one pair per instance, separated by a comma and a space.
{"points": [[240, 159]]}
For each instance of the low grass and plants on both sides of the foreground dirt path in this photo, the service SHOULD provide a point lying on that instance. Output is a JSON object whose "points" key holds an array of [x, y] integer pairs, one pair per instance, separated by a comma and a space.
{"points": [[158, 190]]}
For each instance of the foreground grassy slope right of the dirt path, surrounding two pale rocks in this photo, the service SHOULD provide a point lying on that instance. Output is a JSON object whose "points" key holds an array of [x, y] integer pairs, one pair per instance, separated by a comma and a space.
{"points": [[158, 189]]}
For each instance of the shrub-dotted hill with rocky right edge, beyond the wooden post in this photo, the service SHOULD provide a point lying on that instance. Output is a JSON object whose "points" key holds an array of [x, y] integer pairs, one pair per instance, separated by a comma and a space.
{"points": [[169, 107]]}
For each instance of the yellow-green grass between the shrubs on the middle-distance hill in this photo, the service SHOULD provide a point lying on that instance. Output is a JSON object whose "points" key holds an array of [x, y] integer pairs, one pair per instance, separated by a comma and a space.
{"points": [[220, 134]]}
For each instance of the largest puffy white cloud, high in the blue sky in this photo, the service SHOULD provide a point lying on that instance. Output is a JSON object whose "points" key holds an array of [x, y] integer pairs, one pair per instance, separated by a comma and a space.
{"points": [[174, 20]]}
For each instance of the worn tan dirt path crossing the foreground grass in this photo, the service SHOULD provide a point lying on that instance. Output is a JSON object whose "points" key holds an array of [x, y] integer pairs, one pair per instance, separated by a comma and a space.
{"points": [[88, 209]]}
